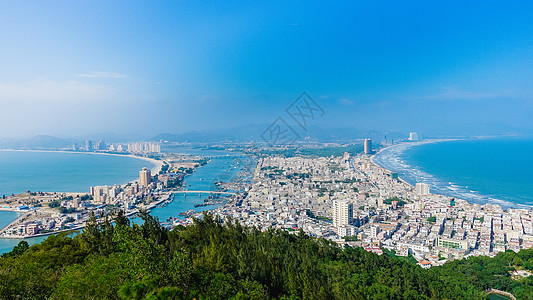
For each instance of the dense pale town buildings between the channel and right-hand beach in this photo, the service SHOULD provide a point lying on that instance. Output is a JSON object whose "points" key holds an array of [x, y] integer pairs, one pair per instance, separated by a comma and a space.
{"points": [[354, 201]]}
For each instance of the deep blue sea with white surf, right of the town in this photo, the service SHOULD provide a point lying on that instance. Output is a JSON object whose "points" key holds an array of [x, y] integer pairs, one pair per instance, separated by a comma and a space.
{"points": [[479, 170]]}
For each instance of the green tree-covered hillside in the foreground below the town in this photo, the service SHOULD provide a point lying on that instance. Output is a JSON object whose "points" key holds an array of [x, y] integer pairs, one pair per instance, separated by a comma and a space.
{"points": [[211, 260]]}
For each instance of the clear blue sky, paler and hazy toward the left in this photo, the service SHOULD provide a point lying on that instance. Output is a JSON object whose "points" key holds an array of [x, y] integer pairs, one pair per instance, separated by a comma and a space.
{"points": [[73, 68]]}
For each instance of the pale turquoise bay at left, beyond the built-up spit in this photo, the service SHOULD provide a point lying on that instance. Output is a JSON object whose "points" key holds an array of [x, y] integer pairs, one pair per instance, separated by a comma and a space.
{"points": [[64, 172]]}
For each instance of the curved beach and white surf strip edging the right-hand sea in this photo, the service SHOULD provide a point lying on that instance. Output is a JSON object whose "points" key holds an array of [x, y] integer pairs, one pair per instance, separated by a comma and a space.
{"points": [[455, 190]]}
